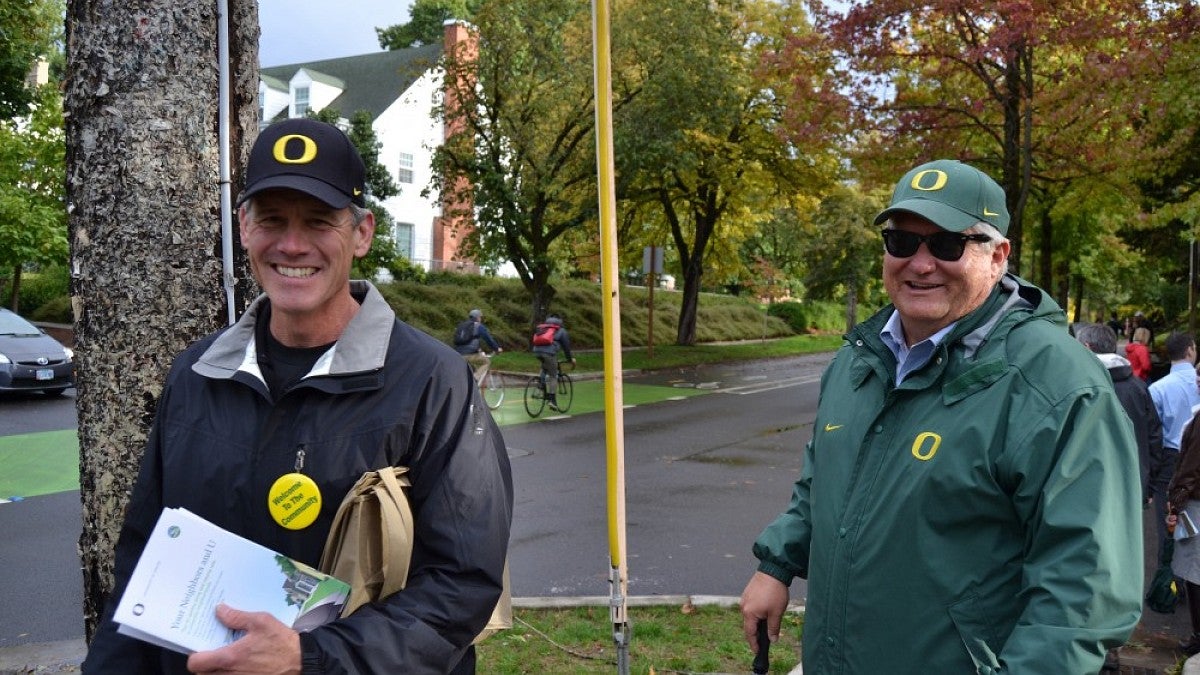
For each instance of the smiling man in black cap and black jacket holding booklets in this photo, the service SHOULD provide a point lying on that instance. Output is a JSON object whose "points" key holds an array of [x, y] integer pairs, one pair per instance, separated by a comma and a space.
{"points": [[316, 385]]}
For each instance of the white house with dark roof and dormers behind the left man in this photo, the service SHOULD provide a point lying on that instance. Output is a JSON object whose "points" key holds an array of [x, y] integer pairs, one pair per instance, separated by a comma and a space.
{"points": [[399, 89]]}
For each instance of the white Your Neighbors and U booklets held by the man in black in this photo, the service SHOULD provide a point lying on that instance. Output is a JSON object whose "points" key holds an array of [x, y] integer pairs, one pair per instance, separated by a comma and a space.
{"points": [[190, 565]]}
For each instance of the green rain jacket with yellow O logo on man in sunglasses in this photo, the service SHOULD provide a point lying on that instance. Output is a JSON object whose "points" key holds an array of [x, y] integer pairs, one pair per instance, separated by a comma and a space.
{"points": [[983, 517]]}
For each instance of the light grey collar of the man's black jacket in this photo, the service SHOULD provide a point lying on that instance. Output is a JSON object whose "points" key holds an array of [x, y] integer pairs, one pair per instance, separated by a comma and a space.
{"points": [[362, 348]]}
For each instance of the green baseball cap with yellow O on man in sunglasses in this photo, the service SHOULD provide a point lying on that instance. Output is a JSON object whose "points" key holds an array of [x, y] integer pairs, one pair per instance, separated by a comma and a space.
{"points": [[951, 195]]}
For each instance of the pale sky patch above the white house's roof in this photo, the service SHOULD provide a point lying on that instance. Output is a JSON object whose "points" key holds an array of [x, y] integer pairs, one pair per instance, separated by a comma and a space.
{"points": [[311, 31]]}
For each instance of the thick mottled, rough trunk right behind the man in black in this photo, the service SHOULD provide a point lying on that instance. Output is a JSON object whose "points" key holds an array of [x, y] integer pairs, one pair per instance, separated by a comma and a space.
{"points": [[143, 195]]}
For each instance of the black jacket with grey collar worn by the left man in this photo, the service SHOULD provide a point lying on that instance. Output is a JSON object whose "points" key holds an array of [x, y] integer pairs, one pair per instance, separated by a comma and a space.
{"points": [[385, 395]]}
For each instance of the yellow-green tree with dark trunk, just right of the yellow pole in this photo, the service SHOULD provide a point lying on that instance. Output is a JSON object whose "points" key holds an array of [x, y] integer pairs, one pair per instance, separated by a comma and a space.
{"points": [[703, 142]]}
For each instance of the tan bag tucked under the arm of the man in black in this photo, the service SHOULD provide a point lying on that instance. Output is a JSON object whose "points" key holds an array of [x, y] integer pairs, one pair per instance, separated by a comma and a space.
{"points": [[370, 545]]}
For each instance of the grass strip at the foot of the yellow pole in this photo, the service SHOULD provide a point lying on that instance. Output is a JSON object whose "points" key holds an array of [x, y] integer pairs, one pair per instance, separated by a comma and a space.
{"points": [[664, 640]]}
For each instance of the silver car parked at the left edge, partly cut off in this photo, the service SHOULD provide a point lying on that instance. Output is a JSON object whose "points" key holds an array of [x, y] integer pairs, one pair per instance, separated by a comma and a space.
{"points": [[31, 360]]}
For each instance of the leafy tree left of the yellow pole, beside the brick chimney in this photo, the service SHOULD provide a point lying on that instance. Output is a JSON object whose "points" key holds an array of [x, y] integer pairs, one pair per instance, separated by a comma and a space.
{"points": [[520, 162]]}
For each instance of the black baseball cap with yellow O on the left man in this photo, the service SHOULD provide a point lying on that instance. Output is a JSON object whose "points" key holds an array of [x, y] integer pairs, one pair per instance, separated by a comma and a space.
{"points": [[308, 156]]}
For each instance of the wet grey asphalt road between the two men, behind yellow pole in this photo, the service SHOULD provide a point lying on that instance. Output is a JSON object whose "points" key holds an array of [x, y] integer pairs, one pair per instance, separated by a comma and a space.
{"points": [[704, 475]]}
